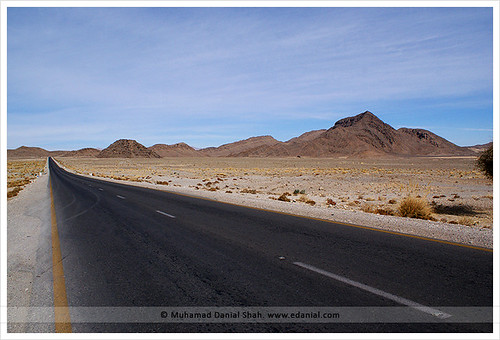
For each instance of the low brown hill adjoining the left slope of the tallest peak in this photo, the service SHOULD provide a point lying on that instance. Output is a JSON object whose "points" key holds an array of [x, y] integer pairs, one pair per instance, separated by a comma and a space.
{"points": [[237, 148]]}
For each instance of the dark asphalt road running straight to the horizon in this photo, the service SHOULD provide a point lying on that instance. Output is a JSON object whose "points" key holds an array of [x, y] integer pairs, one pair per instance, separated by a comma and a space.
{"points": [[126, 246]]}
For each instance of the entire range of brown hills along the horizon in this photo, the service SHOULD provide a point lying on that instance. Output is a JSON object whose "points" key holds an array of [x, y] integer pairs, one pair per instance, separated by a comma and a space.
{"points": [[363, 135]]}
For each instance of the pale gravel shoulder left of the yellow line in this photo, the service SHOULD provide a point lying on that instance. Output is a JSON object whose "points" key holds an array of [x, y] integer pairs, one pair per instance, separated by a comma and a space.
{"points": [[29, 271]]}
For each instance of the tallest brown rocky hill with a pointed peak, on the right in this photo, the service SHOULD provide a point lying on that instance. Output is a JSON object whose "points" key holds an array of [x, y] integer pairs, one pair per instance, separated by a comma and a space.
{"points": [[363, 135]]}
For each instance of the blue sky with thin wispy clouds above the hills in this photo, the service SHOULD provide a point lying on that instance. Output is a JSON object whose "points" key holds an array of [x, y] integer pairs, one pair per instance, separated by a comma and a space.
{"points": [[84, 77]]}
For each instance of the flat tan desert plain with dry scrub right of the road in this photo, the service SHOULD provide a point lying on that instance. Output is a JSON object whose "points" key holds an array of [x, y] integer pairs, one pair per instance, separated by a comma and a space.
{"points": [[456, 191]]}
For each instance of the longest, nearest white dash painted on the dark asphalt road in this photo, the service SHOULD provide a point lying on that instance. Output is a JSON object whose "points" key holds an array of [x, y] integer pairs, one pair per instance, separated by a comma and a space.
{"points": [[434, 312]]}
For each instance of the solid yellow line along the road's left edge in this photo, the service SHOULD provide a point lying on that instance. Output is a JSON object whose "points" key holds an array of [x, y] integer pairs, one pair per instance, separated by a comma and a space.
{"points": [[61, 309]]}
